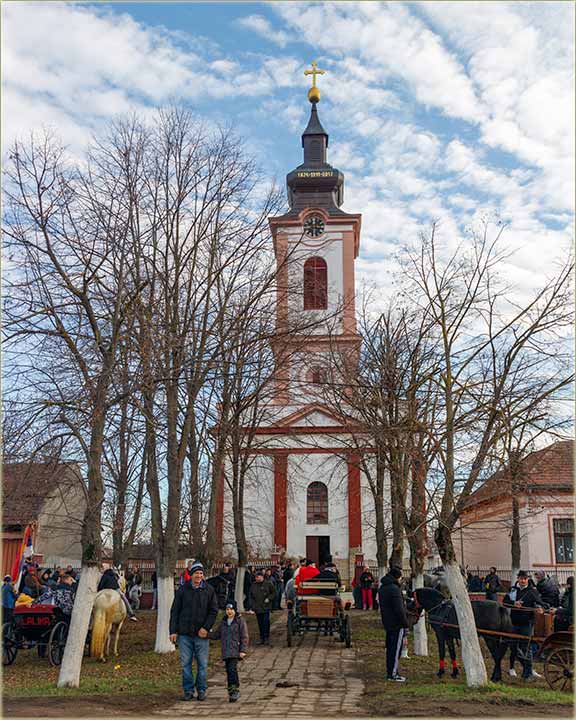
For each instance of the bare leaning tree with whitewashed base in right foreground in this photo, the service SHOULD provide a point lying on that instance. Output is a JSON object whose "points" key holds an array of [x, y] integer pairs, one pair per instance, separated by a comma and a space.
{"points": [[483, 336]]}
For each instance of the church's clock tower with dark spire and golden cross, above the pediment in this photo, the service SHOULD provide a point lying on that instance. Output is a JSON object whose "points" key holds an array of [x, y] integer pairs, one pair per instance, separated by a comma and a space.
{"points": [[316, 243]]}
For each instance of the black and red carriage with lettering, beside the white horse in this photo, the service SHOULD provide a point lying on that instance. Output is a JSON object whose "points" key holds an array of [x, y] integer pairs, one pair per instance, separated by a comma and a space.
{"points": [[44, 627]]}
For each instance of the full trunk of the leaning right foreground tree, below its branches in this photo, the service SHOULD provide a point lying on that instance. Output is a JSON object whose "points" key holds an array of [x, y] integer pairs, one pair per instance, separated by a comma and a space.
{"points": [[472, 659]]}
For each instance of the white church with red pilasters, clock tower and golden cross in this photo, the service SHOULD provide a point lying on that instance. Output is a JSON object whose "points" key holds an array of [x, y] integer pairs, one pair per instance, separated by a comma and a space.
{"points": [[308, 496]]}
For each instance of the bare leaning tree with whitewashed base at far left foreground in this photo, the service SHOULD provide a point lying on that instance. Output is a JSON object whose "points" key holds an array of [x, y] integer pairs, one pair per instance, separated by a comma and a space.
{"points": [[67, 299]]}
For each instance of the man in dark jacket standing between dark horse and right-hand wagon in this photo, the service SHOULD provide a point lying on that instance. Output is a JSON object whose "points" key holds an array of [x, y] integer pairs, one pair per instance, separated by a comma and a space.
{"points": [[524, 602]]}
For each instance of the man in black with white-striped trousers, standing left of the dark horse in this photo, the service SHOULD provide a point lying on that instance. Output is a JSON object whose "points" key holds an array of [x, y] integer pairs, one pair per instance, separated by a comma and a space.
{"points": [[394, 619]]}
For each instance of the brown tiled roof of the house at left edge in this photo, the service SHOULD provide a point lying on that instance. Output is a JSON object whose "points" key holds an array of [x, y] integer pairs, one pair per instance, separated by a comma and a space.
{"points": [[25, 487]]}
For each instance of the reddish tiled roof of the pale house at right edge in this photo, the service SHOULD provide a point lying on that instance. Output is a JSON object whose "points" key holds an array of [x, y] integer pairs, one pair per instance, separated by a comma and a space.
{"points": [[551, 468]]}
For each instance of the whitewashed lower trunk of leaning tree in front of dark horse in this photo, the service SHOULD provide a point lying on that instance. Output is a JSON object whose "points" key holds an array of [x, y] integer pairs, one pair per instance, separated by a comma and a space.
{"points": [[472, 659]]}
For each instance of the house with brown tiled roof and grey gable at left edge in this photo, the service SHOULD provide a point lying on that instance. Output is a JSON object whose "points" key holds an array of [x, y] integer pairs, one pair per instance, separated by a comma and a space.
{"points": [[50, 497]]}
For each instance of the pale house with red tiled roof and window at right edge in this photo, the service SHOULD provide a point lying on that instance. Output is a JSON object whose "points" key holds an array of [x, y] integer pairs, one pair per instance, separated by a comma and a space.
{"points": [[545, 490]]}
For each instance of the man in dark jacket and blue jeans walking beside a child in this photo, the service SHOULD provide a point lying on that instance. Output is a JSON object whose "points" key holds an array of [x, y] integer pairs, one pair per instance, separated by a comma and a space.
{"points": [[193, 613]]}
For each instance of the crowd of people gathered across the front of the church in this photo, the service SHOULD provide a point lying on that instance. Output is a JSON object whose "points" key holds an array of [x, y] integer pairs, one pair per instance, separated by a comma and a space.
{"points": [[199, 598]]}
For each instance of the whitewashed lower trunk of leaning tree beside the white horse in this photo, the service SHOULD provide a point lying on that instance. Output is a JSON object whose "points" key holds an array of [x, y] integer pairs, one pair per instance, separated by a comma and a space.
{"points": [[69, 675]]}
